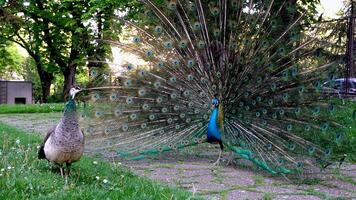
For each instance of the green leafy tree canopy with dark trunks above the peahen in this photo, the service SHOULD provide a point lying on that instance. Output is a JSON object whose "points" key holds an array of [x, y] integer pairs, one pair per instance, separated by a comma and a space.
{"points": [[61, 36]]}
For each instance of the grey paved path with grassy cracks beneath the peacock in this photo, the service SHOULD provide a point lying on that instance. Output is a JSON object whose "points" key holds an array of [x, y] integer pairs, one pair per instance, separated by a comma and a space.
{"points": [[192, 169]]}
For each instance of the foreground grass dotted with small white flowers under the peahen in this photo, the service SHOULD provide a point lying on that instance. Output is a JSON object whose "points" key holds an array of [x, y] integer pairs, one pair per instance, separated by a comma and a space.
{"points": [[23, 176]]}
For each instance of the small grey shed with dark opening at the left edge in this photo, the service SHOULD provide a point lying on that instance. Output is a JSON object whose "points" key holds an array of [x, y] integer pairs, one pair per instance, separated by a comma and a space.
{"points": [[15, 92]]}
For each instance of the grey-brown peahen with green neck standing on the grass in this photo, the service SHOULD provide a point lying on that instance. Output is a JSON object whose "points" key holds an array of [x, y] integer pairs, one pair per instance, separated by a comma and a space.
{"points": [[64, 143]]}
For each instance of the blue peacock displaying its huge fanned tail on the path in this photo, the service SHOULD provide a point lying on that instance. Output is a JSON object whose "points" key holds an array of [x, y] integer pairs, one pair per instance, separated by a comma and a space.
{"points": [[239, 74]]}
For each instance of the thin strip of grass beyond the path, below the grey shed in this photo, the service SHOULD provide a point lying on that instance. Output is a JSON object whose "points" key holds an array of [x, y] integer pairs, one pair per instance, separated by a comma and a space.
{"points": [[31, 108]]}
